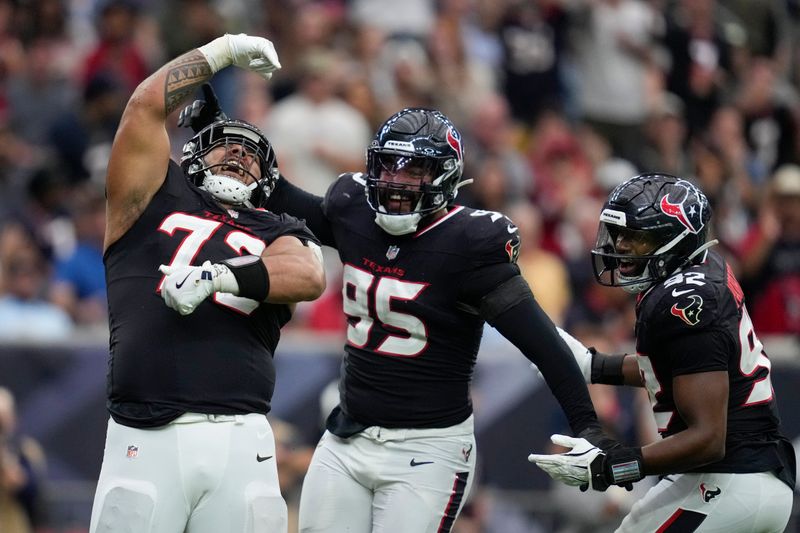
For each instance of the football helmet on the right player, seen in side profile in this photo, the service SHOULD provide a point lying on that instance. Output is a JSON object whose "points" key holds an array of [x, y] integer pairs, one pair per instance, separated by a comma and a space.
{"points": [[662, 220]]}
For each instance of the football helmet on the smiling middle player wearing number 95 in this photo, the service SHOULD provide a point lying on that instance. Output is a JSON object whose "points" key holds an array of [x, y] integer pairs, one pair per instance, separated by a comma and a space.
{"points": [[421, 142]]}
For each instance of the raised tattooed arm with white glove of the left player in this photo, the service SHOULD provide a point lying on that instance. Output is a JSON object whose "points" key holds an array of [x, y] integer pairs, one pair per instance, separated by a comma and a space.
{"points": [[140, 153]]}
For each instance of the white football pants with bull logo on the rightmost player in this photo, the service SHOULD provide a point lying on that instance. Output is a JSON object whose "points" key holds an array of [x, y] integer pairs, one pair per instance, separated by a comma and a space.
{"points": [[713, 503]]}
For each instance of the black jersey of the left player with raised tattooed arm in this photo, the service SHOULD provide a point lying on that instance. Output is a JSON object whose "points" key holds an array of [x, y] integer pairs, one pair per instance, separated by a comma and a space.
{"points": [[217, 360]]}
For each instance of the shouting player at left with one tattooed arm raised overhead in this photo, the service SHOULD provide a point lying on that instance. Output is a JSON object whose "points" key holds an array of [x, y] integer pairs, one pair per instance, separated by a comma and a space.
{"points": [[189, 448]]}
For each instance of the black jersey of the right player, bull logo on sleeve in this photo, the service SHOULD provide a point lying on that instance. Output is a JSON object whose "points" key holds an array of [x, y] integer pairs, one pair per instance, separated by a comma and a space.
{"points": [[696, 321]]}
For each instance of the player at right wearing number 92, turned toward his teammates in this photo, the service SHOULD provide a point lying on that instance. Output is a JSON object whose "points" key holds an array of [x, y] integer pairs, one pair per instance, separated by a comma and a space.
{"points": [[723, 462]]}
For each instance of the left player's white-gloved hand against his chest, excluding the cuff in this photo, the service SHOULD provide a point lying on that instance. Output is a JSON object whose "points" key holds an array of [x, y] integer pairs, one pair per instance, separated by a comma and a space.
{"points": [[185, 287]]}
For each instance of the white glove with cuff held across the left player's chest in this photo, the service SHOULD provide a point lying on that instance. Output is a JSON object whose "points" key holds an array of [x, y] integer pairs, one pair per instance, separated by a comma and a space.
{"points": [[185, 287]]}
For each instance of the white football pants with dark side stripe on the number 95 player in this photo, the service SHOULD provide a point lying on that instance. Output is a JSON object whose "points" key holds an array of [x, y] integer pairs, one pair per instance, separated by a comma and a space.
{"points": [[389, 481]]}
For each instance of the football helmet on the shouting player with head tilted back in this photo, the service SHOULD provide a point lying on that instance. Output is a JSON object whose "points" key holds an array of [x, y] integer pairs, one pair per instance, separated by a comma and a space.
{"points": [[225, 188]]}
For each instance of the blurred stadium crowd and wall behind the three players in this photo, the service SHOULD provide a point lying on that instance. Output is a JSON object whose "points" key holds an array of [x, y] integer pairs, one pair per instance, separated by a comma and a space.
{"points": [[557, 101]]}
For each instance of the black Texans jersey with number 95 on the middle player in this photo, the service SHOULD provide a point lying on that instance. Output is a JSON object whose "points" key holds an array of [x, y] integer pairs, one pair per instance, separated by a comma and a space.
{"points": [[413, 330]]}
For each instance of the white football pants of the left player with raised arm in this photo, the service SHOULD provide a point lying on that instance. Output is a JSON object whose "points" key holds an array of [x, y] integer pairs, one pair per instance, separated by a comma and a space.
{"points": [[197, 474]]}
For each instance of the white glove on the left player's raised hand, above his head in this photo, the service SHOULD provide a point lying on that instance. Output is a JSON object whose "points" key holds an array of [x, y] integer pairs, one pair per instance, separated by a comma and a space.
{"points": [[245, 51]]}
